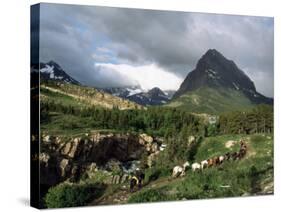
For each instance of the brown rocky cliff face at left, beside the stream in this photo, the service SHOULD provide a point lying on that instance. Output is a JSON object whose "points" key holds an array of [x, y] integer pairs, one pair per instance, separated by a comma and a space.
{"points": [[62, 159]]}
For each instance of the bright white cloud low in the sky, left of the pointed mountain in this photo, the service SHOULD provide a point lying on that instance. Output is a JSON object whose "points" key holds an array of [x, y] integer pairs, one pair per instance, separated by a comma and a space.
{"points": [[147, 76]]}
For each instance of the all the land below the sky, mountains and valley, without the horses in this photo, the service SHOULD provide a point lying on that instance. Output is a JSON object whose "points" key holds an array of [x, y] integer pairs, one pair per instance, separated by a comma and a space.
{"points": [[93, 140]]}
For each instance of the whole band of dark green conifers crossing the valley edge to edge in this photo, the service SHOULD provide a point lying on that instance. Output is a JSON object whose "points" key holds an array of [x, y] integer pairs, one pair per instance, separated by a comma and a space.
{"points": [[168, 122]]}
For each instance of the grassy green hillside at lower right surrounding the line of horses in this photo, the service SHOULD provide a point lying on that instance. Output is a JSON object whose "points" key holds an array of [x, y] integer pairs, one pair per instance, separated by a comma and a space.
{"points": [[252, 175]]}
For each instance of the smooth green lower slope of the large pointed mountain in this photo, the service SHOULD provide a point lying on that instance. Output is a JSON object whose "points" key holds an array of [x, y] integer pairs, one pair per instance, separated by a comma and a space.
{"points": [[212, 101]]}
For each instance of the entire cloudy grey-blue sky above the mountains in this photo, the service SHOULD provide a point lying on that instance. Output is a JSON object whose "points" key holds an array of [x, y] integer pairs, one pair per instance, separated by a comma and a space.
{"points": [[102, 46]]}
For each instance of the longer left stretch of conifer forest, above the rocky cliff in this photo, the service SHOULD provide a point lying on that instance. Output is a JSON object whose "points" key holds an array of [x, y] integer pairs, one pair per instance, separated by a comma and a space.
{"points": [[160, 121]]}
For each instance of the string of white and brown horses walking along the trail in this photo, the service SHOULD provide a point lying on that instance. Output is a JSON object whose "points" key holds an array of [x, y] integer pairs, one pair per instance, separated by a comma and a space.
{"points": [[211, 162]]}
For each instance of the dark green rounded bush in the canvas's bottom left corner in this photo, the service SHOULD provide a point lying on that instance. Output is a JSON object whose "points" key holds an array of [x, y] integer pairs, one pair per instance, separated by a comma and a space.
{"points": [[67, 195]]}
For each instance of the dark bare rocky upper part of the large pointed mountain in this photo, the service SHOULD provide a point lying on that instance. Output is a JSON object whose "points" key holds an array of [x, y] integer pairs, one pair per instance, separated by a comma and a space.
{"points": [[215, 71]]}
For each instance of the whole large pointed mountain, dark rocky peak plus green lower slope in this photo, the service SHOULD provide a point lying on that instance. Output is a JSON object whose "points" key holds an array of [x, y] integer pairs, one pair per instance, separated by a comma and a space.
{"points": [[217, 85]]}
